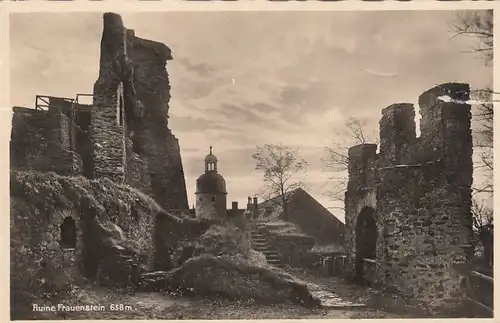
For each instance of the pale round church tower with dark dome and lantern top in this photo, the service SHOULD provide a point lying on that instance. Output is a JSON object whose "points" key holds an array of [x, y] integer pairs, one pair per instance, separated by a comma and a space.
{"points": [[211, 194]]}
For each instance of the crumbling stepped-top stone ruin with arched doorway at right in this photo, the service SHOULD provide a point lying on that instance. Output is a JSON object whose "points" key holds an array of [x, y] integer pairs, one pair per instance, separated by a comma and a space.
{"points": [[408, 207]]}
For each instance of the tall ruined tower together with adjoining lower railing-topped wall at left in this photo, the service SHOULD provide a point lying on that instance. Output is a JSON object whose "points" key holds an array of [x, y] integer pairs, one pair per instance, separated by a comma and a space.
{"points": [[123, 135]]}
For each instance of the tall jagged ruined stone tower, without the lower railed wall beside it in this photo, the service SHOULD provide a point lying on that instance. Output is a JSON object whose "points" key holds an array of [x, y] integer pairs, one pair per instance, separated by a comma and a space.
{"points": [[130, 119]]}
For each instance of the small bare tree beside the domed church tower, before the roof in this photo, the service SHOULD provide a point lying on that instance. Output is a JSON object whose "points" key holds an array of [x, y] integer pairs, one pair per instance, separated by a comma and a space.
{"points": [[280, 165]]}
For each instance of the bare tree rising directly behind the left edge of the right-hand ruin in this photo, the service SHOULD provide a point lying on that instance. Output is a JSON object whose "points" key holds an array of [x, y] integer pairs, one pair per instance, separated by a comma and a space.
{"points": [[354, 132]]}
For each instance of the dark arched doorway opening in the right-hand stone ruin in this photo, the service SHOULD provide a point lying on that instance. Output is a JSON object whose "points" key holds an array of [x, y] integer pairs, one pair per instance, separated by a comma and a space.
{"points": [[366, 239]]}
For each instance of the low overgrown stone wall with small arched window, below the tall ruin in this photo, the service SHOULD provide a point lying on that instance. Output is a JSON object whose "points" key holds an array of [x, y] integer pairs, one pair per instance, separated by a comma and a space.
{"points": [[40, 203]]}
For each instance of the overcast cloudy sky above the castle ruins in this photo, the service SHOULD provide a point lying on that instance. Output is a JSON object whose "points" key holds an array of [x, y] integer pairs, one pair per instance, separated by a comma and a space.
{"points": [[241, 79]]}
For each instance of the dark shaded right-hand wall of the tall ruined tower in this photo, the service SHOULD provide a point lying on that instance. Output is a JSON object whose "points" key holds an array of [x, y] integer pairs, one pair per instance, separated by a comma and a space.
{"points": [[154, 142]]}
